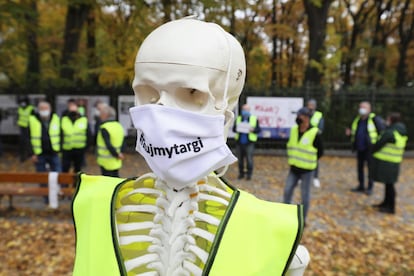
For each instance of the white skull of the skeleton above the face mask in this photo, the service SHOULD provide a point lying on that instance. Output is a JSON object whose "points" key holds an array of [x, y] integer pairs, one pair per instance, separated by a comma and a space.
{"points": [[191, 65]]}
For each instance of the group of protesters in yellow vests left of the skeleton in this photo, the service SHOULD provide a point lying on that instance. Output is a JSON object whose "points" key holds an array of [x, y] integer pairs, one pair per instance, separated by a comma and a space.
{"points": [[59, 142]]}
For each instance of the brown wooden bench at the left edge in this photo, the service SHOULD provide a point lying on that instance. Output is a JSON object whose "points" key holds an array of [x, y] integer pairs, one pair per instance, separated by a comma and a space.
{"points": [[27, 184]]}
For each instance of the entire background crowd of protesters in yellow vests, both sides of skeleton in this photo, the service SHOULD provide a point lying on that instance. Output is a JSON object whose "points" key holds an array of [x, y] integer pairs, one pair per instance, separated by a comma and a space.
{"points": [[59, 143]]}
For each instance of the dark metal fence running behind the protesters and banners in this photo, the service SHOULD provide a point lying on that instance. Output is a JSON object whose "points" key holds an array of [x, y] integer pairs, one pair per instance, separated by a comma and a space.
{"points": [[339, 109]]}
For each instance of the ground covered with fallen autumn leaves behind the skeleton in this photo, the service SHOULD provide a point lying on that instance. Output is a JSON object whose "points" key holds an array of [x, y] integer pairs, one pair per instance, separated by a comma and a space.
{"points": [[344, 234]]}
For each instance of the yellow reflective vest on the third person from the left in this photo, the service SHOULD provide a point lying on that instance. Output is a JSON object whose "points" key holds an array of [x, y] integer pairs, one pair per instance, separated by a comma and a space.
{"points": [[74, 133]]}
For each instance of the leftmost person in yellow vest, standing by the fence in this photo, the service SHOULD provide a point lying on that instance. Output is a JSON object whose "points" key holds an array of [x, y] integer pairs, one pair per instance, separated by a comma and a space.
{"points": [[24, 111]]}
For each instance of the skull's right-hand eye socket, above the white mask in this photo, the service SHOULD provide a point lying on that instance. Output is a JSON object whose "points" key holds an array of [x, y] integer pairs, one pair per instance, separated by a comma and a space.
{"points": [[191, 99]]}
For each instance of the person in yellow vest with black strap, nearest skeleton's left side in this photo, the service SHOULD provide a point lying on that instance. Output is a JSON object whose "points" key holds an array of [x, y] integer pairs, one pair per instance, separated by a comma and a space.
{"points": [[109, 142]]}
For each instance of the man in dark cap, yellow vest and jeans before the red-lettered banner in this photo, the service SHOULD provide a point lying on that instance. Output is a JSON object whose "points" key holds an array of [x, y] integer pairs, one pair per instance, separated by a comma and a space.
{"points": [[304, 148]]}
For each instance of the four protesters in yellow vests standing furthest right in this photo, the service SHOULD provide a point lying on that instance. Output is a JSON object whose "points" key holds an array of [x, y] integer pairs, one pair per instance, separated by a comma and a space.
{"points": [[379, 144]]}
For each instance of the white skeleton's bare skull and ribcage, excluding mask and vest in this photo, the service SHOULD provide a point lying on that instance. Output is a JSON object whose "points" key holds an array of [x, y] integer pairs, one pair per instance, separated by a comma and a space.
{"points": [[198, 67]]}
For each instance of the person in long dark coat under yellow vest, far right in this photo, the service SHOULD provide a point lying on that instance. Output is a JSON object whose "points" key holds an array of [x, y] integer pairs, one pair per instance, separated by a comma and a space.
{"points": [[388, 153]]}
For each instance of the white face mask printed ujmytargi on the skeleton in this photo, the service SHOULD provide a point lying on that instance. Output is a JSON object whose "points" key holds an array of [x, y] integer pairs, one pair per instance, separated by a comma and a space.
{"points": [[180, 146]]}
